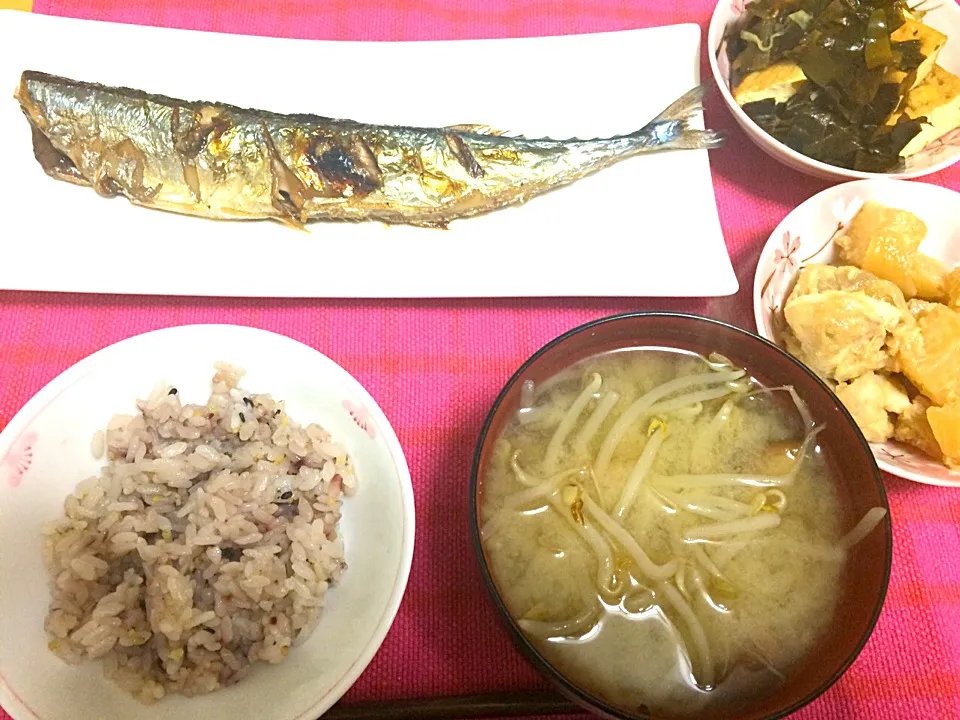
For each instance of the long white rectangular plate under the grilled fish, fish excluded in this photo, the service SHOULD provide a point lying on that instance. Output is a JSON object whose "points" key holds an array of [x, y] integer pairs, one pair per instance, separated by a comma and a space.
{"points": [[646, 227]]}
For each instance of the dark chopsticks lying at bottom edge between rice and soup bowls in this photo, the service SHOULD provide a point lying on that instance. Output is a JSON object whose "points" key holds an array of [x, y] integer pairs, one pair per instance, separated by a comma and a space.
{"points": [[494, 705]]}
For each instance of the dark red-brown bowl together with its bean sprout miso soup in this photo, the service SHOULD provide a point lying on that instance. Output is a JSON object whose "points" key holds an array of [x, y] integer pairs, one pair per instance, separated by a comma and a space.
{"points": [[677, 519]]}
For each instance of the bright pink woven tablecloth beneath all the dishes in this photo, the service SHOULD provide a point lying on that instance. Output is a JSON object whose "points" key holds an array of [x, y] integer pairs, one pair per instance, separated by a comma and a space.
{"points": [[435, 367]]}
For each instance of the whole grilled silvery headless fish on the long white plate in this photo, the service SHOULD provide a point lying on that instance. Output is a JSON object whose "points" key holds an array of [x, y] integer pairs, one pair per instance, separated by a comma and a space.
{"points": [[224, 162]]}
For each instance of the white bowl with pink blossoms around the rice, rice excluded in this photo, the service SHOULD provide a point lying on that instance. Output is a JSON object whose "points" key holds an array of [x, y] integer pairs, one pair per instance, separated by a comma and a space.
{"points": [[46, 450]]}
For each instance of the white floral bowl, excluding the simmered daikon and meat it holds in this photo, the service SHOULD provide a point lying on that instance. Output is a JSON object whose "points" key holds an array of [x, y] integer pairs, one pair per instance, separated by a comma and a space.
{"points": [[806, 236]]}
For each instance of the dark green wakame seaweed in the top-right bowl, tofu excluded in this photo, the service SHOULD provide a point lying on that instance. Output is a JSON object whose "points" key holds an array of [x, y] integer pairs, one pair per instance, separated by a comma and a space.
{"points": [[845, 50]]}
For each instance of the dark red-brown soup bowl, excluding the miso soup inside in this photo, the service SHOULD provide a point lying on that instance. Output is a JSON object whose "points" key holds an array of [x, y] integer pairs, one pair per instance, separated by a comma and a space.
{"points": [[867, 570]]}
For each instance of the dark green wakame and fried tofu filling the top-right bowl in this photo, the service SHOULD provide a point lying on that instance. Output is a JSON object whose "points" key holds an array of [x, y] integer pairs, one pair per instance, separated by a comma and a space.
{"points": [[852, 83]]}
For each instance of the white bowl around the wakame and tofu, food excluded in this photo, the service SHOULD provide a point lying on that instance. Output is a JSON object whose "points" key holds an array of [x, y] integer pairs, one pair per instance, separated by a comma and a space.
{"points": [[939, 154]]}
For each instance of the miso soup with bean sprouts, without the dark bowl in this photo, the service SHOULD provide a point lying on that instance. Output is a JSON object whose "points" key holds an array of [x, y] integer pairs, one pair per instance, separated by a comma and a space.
{"points": [[666, 531]]}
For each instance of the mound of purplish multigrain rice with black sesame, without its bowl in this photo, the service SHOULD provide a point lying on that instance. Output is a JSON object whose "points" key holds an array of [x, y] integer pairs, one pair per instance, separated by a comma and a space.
{"points": [[207, 544]]}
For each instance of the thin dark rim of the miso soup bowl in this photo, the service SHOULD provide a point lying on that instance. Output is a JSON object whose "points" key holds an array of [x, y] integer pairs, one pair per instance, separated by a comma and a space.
{"points": [[562, 682]]}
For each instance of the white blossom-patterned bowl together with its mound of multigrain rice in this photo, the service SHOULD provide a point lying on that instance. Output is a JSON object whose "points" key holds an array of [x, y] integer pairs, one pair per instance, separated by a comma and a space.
{"points": [[202, 521]]}
